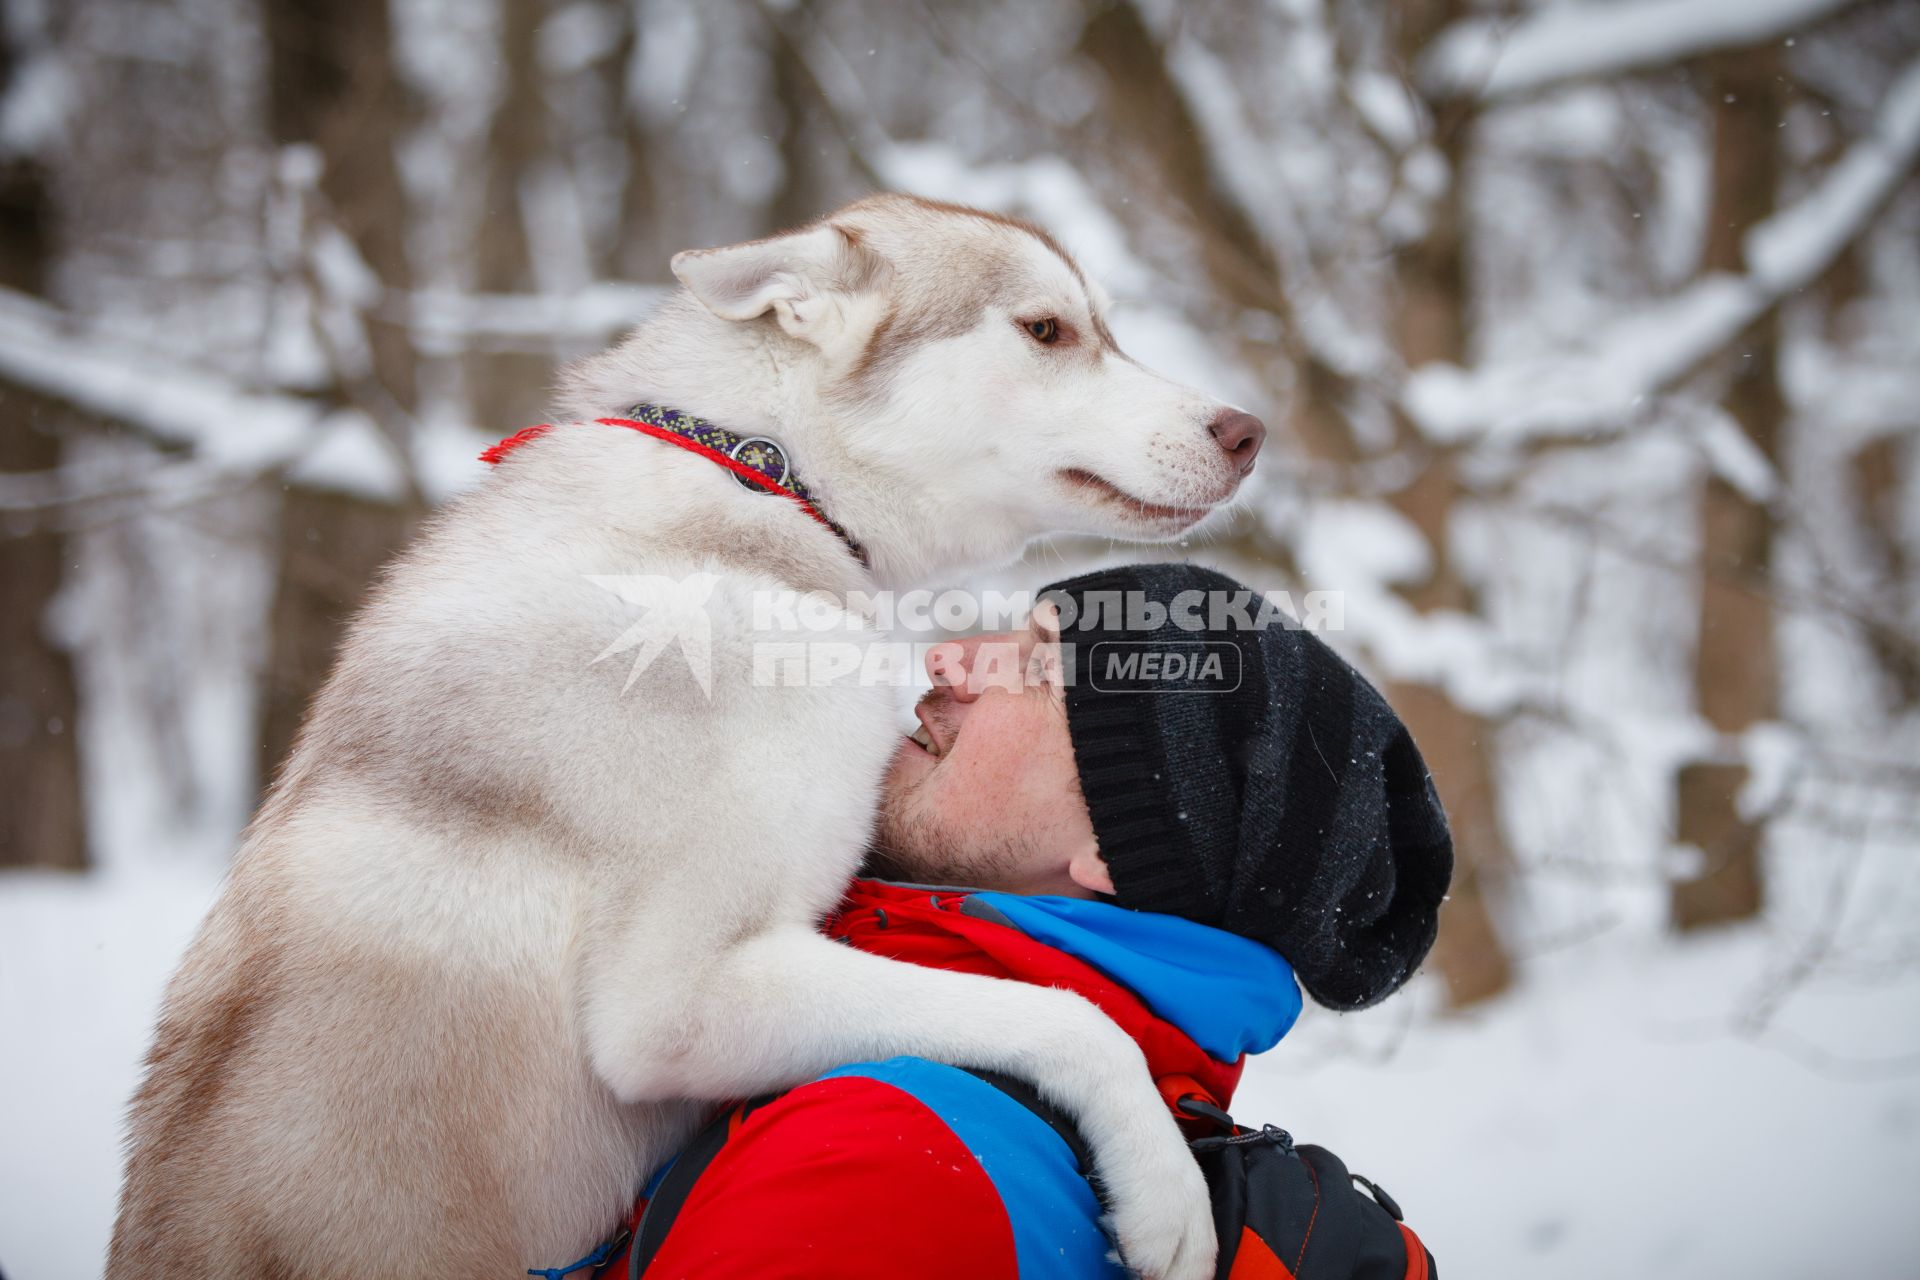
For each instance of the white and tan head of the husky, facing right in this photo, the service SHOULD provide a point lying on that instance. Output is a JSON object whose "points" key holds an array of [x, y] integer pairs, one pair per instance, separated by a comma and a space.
{"points": [[953, 387]]}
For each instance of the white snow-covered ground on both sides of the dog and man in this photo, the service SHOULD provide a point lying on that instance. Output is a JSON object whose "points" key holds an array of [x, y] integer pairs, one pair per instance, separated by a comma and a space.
{"points": [[1600, 1122]]}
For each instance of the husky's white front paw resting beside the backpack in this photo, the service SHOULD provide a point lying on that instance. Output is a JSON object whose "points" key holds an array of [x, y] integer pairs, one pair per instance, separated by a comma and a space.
{"points": [[1163, 1216]]}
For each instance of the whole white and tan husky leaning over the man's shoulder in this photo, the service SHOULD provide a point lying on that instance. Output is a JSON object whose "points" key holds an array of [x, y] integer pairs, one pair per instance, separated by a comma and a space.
{"points": [[506, 926]]}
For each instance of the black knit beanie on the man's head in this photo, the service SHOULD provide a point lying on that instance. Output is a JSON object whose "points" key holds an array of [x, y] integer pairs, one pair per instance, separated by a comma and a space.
{"points": [[1247, 778]]}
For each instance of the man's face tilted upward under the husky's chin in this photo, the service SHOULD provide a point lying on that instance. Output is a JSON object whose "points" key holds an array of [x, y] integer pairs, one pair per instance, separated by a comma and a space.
{"points": [[986, 792]]}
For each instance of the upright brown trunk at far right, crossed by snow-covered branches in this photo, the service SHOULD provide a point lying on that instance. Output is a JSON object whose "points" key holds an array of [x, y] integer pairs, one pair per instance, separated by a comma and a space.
{"points": [[1735, 659]]}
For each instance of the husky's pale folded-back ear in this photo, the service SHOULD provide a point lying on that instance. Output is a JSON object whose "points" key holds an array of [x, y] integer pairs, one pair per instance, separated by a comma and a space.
{"points": [[805, 279]]}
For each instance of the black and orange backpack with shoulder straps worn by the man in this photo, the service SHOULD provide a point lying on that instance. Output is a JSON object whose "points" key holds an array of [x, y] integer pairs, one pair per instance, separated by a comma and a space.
{"points": [[1284, 1212]]}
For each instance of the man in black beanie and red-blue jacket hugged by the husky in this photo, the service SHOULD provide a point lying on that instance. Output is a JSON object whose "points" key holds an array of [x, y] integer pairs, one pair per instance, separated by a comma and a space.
{"points": [[1176, 840]]}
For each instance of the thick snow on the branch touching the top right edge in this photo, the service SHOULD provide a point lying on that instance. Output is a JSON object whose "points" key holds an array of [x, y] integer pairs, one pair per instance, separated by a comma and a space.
{"points": [[1499, 59]]}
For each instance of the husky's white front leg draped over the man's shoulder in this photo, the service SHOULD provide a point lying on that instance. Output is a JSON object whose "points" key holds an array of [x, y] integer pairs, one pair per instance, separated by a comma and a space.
{"points": [[784, 1007]]}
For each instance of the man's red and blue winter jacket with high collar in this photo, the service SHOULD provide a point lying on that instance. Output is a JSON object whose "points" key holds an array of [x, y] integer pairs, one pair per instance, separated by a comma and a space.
{"points": [[913, 1170]]}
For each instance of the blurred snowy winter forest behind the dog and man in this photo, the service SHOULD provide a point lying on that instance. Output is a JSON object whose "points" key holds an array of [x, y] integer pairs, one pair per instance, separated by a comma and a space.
{"points": [[1591, 335]]}
